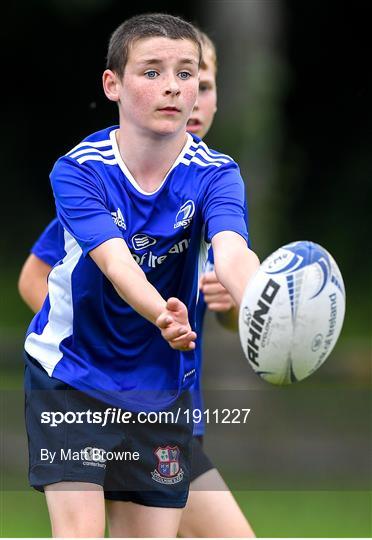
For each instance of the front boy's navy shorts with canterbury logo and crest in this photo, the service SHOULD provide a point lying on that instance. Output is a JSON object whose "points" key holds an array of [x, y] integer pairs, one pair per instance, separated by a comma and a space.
{"points": [[146, 463]]}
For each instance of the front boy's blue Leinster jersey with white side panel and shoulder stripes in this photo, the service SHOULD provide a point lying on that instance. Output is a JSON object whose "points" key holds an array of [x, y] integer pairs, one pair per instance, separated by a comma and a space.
{"points": [[85, 334]]}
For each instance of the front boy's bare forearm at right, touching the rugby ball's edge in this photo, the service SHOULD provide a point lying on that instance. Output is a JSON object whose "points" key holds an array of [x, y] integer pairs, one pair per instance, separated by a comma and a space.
{"points": [[234, 262]]}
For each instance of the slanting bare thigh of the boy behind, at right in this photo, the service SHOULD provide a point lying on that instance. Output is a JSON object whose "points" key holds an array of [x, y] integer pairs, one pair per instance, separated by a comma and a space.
{"points": [[212, 511]]}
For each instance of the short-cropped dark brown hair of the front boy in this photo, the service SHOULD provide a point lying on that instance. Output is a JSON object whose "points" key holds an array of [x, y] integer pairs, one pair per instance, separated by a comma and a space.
{"points": [[145, 26]]}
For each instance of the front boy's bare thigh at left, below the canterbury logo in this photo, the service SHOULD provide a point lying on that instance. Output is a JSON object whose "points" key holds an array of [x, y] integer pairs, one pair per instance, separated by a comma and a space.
{"points": [[76, 509]]}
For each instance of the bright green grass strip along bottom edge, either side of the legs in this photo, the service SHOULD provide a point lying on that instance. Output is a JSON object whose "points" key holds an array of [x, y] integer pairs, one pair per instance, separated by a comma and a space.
{"points": [[271, 513]]}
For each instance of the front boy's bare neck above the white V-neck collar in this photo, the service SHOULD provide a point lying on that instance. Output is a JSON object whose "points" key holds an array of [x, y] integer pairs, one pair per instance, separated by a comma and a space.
{"points": [[148, 156]]}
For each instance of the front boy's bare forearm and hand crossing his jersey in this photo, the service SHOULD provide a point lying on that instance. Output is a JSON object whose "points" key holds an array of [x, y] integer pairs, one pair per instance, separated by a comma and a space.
{"points": [[116, 262]]}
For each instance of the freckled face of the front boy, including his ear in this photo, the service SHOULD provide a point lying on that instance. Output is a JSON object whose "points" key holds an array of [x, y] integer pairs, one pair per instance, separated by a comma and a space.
{"points": [[160, 85]]}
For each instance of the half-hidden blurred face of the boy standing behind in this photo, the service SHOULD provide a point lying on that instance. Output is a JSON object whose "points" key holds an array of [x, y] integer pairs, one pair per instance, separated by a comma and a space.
{"points": [[206, 106]]}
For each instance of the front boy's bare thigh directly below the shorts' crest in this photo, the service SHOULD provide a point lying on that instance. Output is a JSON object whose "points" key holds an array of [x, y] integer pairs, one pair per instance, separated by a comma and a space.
{"points": [[128, 519]]}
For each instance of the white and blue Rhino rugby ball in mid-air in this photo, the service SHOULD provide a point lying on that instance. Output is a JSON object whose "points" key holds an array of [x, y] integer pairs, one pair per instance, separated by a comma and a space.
{"points": [[292, 313]]}
